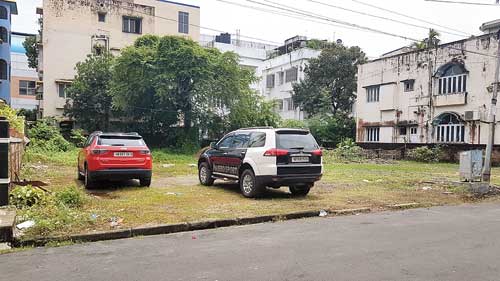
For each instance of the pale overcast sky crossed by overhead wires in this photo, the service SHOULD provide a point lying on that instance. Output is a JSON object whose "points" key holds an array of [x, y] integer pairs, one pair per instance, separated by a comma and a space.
{"points": [[277, 28]]}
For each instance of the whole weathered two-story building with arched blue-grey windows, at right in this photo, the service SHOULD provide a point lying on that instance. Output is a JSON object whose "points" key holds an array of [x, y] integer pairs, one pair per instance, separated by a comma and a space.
{"points": [[436, 95]]}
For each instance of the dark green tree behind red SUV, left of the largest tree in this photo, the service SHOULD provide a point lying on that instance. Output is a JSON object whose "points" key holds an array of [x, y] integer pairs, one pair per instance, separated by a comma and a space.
{"points": [[90, 103]]}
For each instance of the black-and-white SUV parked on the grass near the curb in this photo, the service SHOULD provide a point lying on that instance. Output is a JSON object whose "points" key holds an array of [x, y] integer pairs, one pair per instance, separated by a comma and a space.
{"points": [[264, 157]]}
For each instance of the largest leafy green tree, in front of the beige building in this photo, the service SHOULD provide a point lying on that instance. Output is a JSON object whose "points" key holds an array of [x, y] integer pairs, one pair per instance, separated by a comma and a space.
{"points": [[166, 82]]}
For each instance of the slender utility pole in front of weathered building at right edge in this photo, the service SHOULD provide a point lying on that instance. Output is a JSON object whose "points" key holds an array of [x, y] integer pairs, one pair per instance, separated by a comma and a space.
{"points": [[492, 119]]}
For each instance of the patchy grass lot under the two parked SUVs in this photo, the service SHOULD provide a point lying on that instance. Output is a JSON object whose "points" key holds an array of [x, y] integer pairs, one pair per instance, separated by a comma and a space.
{"points": [[176, 196]]}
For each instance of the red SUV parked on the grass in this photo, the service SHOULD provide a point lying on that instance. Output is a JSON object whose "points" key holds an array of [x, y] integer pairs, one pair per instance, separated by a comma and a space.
{"points": [[114, 156]]}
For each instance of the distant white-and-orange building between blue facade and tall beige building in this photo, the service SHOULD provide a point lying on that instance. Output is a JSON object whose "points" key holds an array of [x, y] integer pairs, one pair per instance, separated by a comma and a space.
{"points": [[23, 78]]}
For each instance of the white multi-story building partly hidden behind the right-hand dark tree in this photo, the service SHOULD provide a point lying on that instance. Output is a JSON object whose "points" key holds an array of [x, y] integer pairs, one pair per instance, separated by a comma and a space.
{"points": [[285, 65]]}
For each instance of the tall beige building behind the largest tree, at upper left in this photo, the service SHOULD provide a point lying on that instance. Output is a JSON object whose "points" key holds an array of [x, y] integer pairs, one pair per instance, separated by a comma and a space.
{"points": [[73, 29]]}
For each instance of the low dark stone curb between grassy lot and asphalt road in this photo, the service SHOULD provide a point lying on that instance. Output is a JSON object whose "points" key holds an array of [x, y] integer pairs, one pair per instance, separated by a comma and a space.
{"points": [[176, 228]]}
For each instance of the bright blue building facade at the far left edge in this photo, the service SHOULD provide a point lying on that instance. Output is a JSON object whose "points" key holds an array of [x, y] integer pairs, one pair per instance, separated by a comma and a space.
{"points": [[7, 9]]}
